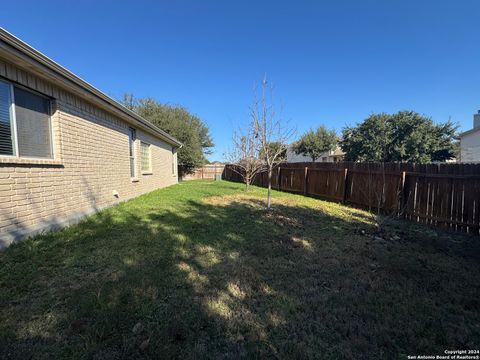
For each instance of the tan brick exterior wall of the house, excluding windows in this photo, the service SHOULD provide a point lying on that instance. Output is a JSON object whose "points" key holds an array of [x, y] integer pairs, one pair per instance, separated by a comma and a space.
{"points": [[91, 161]]}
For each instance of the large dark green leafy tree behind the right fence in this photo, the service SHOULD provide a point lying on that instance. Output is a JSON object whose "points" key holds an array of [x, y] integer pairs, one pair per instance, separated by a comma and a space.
{"points": [[405, 136]]}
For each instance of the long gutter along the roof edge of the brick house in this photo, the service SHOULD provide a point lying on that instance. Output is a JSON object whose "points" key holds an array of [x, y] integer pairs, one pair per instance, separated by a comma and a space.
{"points": [[65, 74]]}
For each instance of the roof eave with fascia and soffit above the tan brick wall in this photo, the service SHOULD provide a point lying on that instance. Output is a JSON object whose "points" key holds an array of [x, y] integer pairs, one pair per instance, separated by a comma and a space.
{"points": [[23, 54]]}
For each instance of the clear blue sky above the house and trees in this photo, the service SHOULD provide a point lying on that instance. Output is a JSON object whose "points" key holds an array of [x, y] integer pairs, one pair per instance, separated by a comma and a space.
{"points": [[332, 62]]}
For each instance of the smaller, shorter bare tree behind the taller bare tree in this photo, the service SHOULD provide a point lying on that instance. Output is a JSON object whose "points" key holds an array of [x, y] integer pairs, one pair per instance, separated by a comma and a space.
{"points": [[245, 155]]}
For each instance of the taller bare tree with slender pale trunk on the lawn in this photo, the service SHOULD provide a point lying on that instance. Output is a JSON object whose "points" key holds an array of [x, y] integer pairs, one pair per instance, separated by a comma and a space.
{"points": [[272, 132]]}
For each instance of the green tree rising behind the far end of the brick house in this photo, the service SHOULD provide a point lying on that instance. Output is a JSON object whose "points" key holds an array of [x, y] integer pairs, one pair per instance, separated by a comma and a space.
{"points": [[179, 123]]}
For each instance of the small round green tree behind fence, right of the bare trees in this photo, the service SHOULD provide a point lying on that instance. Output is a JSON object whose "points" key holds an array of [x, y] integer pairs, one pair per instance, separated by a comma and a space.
{"points": [[316, 142]]}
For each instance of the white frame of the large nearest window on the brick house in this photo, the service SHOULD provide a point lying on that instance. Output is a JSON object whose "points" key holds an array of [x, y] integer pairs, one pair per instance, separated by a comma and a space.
{"points": [[13, 122]]}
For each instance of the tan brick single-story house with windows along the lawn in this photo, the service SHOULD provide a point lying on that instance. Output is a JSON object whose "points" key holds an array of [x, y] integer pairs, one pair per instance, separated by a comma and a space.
{"points": [[67, 149]]}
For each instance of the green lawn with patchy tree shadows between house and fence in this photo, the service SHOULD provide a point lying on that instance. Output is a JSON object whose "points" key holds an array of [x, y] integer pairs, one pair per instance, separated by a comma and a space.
{"points": [[201, 270]]}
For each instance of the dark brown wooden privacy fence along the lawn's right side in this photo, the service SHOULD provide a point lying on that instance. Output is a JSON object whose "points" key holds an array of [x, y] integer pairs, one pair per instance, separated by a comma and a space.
{"points": [[444, 195]]}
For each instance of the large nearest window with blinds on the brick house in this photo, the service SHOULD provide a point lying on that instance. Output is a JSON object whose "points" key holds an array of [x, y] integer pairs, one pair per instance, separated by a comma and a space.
{"points": [[25, 128]]}
